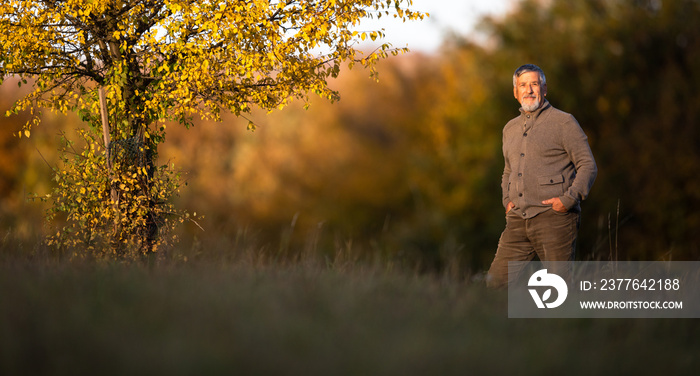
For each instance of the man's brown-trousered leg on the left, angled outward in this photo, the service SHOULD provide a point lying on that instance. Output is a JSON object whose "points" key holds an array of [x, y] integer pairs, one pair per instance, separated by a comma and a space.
{"points": [[514, 245]]}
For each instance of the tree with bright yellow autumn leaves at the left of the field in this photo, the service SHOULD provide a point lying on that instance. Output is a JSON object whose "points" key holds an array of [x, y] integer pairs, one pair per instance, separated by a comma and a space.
{"points": [[159, 60]]}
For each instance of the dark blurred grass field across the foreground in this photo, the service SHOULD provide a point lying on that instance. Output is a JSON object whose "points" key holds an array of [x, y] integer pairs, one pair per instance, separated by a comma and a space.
{"points": [[302, 318]]}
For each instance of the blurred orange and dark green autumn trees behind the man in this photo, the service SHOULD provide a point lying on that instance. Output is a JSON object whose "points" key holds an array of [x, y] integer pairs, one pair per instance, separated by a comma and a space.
{"points": [[407, 170]]}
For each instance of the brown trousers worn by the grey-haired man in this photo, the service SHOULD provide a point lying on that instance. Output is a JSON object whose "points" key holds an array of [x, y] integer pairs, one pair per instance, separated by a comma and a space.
{"points": [[551, 236]]}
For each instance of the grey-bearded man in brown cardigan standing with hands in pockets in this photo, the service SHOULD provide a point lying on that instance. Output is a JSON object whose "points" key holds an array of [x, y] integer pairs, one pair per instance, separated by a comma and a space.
{"points": [[549, 169]]}
